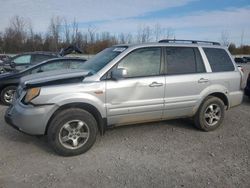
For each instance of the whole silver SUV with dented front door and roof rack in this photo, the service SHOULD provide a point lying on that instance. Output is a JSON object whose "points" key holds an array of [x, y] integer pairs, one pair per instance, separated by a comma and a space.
{"points": [[127, 84]]}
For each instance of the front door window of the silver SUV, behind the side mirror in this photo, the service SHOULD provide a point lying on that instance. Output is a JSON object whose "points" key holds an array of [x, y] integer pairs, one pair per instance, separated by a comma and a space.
{"points": [[142, 62]]}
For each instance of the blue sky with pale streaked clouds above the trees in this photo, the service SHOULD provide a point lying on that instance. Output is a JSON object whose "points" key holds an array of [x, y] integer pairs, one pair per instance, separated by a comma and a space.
{"points": [[188, 19]]}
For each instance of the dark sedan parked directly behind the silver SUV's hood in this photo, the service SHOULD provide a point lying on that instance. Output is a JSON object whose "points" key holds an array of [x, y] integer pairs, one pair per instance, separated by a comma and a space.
{"points": [[9, 81]]}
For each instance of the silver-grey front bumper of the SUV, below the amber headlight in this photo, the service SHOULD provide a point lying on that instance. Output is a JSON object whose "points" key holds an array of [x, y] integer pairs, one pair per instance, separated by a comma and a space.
{"points": [[29, 119]]}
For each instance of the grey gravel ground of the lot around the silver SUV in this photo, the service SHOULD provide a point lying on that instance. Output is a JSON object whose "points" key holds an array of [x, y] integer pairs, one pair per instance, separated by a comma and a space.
{"points": [[164, 154]]}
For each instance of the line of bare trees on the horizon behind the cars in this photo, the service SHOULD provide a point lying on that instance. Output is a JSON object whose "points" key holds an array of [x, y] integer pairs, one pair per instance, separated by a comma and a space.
{"points": [[19, 36]]}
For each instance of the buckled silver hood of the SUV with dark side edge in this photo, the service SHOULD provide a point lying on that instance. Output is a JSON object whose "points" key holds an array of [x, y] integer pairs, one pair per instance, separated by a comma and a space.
{"points": [[53, 78]]}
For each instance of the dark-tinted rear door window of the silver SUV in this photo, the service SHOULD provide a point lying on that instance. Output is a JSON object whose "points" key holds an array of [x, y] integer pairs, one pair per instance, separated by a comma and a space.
{"points": [[183, 60]]}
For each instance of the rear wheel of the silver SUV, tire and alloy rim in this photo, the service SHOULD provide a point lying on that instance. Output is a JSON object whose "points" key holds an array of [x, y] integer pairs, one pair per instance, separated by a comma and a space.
{"points": [[210, 114]]}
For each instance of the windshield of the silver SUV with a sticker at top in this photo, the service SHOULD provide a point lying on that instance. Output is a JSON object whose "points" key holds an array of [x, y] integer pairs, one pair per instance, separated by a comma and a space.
{"points": [[101, 59]]}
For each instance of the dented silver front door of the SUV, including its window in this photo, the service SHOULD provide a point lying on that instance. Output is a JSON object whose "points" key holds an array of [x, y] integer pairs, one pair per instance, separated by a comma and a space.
{"points": [[138, 97]]}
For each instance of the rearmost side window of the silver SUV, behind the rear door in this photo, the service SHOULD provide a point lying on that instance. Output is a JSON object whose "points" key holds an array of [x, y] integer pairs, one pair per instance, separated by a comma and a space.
{"points": [[219, 59]]}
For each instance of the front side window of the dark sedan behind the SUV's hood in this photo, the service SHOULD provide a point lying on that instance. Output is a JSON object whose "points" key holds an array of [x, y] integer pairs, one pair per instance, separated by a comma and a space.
{"points": [[55, 65]]}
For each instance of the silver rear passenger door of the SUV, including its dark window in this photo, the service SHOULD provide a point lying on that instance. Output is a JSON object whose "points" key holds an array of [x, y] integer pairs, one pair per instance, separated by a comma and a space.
{"points": [[186, 78]]}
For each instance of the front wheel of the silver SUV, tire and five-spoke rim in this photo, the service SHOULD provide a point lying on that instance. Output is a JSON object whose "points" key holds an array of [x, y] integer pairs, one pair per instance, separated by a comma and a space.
{"points": [[66, 136]]}
